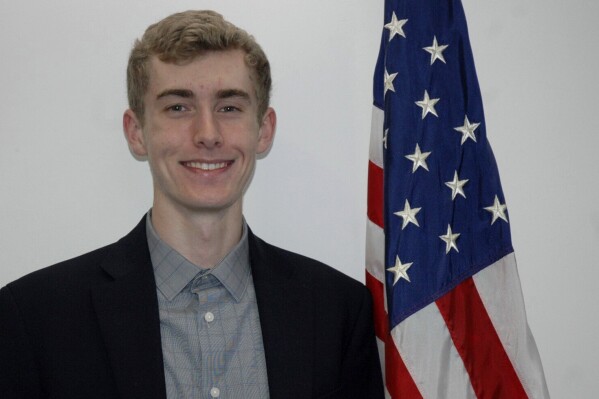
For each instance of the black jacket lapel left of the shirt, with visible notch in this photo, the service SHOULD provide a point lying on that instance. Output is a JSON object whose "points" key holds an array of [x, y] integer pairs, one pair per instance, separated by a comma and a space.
{"points": [[127, 312]]}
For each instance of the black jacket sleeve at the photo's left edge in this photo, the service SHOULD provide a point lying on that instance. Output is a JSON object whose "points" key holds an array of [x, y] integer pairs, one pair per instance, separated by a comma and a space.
{"points": [[18, 370]]}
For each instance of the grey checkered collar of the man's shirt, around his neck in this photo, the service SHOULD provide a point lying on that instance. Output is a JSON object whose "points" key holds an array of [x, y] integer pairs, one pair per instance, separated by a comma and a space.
{"points": [[173, 272]]}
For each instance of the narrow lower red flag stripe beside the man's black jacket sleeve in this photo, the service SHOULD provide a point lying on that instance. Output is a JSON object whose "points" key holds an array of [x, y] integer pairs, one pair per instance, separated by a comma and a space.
{"points": [[399, 382]]}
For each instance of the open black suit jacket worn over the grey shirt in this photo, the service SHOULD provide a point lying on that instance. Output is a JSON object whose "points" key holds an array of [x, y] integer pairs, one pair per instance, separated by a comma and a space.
{"points": [[89, 327]]}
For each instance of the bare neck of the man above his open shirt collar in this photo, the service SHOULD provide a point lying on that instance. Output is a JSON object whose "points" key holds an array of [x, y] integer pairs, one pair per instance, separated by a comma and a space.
{"points": [[203, 238]]}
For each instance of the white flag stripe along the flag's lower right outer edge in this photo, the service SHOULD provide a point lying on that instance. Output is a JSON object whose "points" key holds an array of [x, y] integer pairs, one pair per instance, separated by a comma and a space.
{"points": [[499, 288]]}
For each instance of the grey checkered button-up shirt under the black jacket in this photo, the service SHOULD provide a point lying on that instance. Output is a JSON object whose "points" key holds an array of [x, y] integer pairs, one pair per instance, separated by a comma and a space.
{"points": [[209, 325]]}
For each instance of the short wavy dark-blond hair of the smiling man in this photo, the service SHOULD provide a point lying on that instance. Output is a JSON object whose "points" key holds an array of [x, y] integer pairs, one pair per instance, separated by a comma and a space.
{"points": [[183, 36]]}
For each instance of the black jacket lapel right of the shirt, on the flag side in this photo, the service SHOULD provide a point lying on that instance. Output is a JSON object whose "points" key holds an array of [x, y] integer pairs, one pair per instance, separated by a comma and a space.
{"points": [[285, 308]]}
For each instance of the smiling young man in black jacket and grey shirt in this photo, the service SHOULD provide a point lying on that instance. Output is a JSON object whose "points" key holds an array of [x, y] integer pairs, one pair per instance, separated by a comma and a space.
{"points": [[191, 304]]}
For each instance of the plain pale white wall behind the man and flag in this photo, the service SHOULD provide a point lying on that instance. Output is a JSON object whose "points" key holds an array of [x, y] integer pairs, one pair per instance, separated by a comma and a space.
{"points": [[68, 183]]}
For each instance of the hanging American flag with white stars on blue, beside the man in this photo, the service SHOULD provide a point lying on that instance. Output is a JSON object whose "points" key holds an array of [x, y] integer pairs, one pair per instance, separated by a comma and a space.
{"points": [[449, 310]]}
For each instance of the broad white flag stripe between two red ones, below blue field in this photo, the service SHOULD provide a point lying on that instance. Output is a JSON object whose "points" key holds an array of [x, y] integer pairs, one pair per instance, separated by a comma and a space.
{"points": [[424, 344]]}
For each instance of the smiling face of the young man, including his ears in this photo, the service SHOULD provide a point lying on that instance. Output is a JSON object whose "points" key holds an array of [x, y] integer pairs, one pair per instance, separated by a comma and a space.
{"points": [[200, 131]]}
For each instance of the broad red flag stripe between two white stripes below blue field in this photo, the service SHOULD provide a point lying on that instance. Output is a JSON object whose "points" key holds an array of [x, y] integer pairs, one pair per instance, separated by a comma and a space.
{"points": [[491, 372]]}
